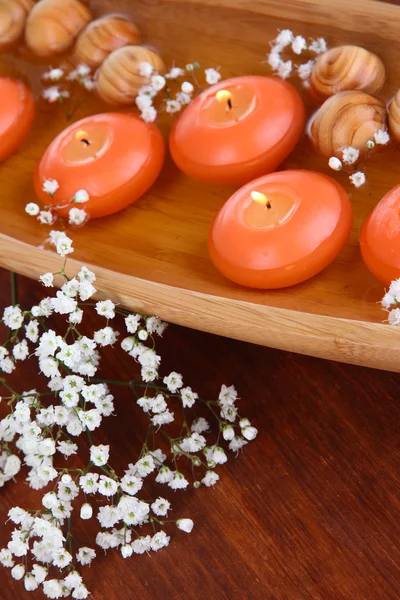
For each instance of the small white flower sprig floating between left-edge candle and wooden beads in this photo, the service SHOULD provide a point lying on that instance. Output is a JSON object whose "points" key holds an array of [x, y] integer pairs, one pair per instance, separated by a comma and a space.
{"points": [[54, 76]]}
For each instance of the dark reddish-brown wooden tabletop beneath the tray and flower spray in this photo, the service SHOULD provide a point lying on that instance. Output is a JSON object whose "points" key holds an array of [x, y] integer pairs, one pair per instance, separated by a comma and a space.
{"points": [[310, 511]]}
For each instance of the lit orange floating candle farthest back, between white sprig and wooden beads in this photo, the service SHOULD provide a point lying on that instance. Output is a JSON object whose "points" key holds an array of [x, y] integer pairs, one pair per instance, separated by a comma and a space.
{"points": [[237, 130]]}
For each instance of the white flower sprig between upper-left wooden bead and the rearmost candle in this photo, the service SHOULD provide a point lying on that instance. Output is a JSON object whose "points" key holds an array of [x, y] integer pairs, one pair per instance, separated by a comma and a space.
{"points": [[158, 83]]}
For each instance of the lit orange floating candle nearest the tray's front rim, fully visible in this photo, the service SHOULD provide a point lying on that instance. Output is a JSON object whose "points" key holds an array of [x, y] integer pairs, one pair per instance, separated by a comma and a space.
{"points": [[280, 229]]}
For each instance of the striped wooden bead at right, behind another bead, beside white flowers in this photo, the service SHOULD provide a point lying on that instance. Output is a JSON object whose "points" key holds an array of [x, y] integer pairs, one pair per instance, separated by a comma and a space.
{"points": [[347, 68]]}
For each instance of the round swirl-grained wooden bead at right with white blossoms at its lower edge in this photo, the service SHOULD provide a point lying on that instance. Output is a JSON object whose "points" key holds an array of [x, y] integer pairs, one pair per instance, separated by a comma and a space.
{"points": [[347, 119]]}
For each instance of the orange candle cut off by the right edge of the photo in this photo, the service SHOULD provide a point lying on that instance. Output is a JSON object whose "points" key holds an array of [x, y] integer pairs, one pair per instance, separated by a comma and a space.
{"points": [[380, 238]]}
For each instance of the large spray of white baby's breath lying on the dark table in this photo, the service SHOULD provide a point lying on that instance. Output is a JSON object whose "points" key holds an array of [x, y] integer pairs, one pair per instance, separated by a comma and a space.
{"points": [[44, 426]]}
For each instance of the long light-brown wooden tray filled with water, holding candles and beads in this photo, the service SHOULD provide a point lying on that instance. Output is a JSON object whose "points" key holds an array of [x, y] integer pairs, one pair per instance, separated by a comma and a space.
{"points": [[153, 256]]}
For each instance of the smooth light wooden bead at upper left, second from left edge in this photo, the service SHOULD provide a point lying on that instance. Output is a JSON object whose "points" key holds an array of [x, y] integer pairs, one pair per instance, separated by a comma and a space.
{"points": [[53, 25]]}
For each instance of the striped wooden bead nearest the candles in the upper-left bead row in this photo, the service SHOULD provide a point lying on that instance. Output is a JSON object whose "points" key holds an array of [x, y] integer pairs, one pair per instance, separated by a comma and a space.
{"points": [[118, 79]]}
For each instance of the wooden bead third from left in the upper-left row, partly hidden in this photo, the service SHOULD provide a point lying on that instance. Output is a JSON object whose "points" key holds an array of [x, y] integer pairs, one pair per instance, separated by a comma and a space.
{"points": [[103, 36]]}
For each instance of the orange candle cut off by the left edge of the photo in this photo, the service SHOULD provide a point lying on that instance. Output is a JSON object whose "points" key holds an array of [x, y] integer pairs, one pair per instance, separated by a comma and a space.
{"points": [[17, 111]]}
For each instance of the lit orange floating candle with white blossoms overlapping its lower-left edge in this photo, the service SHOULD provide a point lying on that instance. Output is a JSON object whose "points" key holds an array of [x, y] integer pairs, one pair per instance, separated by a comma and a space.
{"points": [[115, 157]]}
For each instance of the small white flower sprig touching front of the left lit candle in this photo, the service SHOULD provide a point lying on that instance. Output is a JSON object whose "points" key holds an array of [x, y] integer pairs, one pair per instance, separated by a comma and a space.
{"points": [[48, 216]]}
